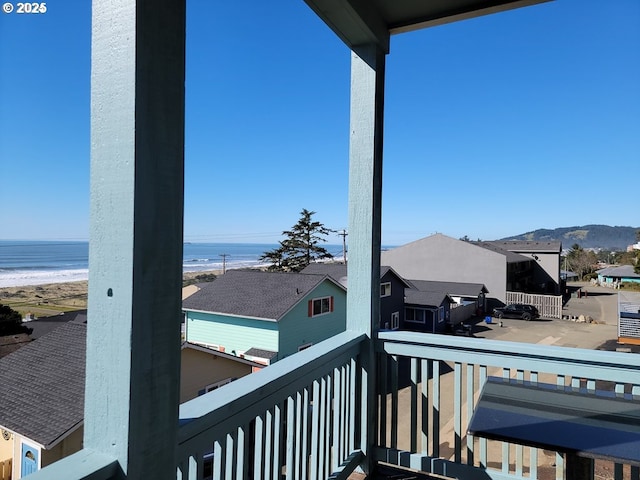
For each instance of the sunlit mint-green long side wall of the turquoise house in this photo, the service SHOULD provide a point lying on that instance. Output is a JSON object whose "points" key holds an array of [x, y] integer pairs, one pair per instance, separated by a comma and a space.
{"points": [[233, 333]]}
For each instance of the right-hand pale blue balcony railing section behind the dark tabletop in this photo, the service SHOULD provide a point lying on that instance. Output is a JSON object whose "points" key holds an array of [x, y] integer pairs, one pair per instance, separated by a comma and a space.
{"points": [[429, 385]]}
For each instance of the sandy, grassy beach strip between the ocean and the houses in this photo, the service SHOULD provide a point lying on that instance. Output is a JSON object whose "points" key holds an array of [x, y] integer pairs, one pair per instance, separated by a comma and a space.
{"points": [[53, 298]]}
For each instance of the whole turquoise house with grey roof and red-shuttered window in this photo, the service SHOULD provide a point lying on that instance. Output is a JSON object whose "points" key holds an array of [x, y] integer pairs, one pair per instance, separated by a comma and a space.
{"points": [[276, 314]]}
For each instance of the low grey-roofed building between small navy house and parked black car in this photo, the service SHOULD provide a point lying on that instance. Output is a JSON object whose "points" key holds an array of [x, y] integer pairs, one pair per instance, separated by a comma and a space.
{"points": [[468, 299]]}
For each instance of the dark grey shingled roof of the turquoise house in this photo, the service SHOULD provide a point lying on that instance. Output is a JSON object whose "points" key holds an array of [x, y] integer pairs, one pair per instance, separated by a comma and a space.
{"points": [[267, 295]]}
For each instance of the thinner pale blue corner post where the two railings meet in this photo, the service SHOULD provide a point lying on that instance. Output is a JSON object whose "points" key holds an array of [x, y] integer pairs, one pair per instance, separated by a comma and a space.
{"points": [[365, 213]]}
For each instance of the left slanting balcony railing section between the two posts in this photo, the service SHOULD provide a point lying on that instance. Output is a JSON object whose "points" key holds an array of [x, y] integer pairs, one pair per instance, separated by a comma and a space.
{"points": [[267, 404]]}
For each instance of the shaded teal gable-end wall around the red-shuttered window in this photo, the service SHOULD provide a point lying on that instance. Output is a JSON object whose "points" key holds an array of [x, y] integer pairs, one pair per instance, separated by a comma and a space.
{"points": [[298, 329]]}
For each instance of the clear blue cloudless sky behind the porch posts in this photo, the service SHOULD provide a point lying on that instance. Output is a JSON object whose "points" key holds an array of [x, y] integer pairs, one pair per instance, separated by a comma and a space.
{"points": [[494, 126]]}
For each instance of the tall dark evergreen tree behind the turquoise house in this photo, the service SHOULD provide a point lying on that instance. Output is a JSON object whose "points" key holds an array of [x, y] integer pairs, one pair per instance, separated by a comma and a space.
{"points": [[301, 245]]}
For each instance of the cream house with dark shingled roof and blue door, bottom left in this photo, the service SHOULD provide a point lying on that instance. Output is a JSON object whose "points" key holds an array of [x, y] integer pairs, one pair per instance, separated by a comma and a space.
{"points": [[42, 399]]}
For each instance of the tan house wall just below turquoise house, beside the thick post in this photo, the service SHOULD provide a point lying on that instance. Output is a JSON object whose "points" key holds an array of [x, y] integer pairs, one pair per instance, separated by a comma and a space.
{"points": [[204, 369]]}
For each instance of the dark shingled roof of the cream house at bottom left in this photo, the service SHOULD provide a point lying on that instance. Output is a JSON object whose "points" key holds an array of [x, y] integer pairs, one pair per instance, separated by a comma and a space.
{"points": [[42, 394]]}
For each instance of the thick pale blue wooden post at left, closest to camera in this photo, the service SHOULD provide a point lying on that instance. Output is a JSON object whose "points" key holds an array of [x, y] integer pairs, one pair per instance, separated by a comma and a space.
{"points": [[135, 259]]}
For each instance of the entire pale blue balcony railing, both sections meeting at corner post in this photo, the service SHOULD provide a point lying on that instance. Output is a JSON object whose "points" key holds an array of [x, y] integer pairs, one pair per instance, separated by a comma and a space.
{"points": [[302, 418]]}
